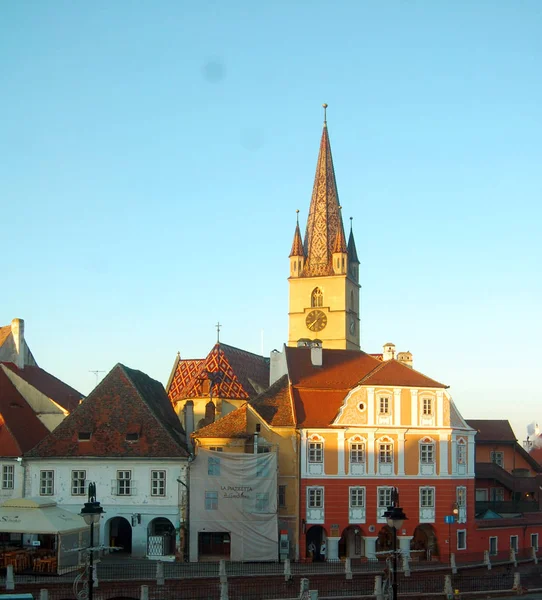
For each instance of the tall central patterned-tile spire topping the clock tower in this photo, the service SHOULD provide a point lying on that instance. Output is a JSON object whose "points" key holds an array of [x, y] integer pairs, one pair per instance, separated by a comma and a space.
{"points": [[324, 223]]}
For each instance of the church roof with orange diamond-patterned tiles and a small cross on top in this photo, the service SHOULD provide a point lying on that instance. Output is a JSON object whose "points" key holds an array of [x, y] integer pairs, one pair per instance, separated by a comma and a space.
{"points": [[236, 374]]}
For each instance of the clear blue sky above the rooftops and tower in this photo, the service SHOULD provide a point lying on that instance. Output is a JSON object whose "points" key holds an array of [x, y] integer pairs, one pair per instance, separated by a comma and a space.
{"points": [[153, 154]]}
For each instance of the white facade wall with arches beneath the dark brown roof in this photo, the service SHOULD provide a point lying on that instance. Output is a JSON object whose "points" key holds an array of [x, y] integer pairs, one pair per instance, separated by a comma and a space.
{"points": [[141, 505]]}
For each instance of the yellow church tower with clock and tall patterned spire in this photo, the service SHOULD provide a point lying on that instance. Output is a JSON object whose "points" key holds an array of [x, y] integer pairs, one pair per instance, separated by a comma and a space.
{"points": [[324, 269]]}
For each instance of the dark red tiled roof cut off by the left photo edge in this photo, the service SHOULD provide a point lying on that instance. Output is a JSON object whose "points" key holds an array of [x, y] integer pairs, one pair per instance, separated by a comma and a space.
{"points": [[20, 427]]}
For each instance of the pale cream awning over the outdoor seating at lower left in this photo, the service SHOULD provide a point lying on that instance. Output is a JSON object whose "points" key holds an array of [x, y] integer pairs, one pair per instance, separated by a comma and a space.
{"points": [[37, 515]]}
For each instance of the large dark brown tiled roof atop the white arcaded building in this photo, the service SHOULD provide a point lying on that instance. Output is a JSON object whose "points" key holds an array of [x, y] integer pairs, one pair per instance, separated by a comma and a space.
{"points": [[125, 401]]}
